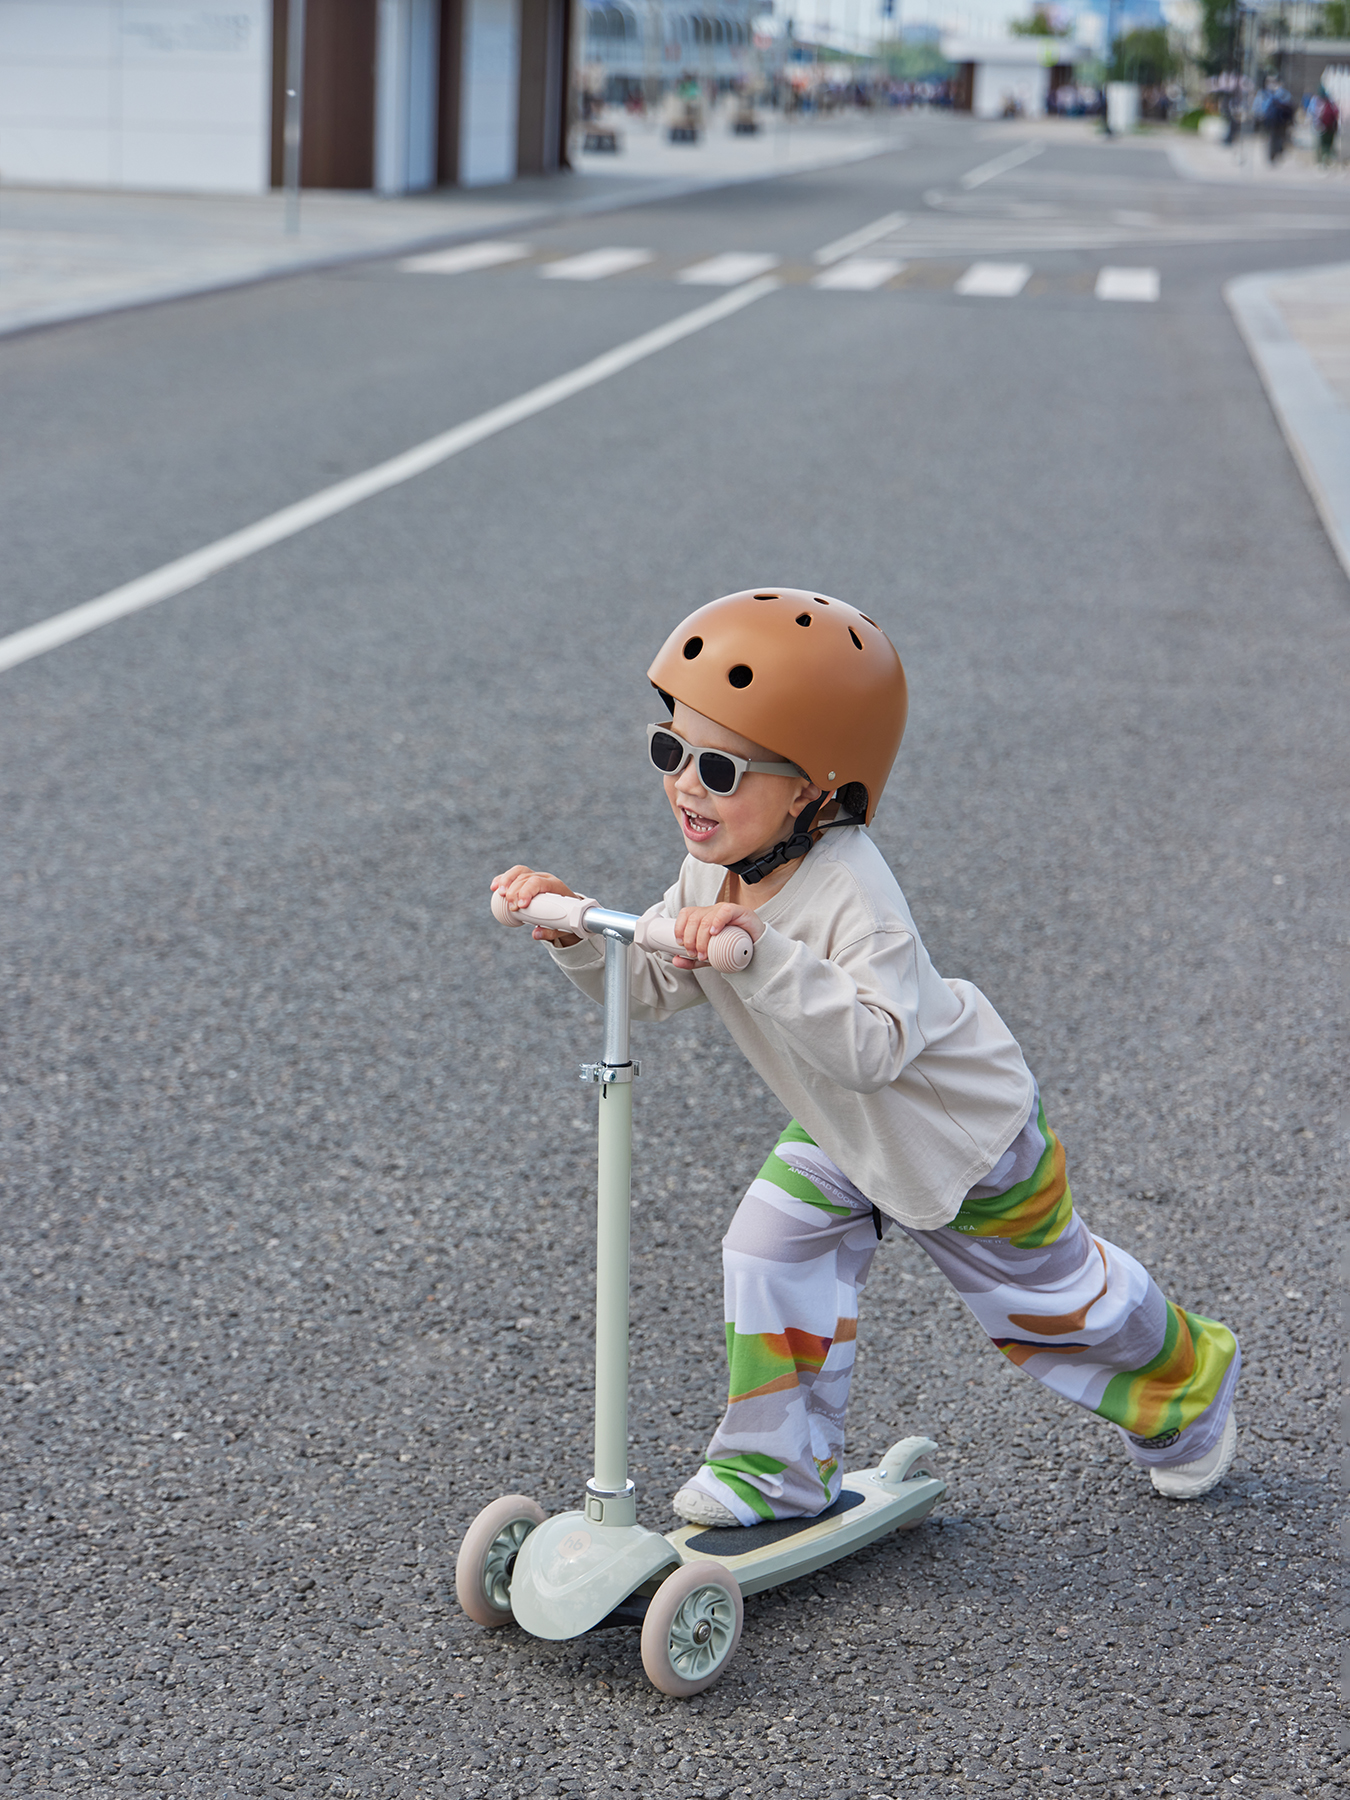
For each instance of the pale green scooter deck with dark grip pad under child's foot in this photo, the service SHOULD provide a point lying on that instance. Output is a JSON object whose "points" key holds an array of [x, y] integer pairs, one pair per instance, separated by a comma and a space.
{"points": [[762, 1556]]}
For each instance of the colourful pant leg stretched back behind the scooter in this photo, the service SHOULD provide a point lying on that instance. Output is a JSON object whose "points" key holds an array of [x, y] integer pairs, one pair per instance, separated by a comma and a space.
{"points": [[1086, 1318]]}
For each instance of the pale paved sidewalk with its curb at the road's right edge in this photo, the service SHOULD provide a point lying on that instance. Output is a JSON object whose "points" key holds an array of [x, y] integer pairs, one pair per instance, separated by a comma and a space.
{"points": [[1297, 327]]}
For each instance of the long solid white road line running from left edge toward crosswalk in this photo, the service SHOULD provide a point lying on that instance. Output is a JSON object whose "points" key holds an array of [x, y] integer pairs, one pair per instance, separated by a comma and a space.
{"points": [[188, 571]]}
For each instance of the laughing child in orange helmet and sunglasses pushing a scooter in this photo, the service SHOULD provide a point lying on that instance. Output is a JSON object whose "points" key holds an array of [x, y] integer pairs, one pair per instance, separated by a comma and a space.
{"points": [[910, 1099]]}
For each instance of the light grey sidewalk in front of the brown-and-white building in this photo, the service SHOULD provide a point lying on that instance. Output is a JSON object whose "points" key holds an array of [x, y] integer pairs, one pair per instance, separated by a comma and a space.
{"points": [[69, 253]]}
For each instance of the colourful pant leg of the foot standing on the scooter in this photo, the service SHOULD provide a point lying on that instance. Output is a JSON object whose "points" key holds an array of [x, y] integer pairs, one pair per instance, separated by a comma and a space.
{"points": [[795, 1263]]}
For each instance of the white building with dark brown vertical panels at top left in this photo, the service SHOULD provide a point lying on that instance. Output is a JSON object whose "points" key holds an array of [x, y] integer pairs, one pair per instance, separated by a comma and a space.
{"points": [[179, 94]]}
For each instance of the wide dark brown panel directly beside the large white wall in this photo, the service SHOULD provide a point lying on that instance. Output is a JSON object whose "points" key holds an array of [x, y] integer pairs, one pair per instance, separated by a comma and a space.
{"points": [[337, 145]]}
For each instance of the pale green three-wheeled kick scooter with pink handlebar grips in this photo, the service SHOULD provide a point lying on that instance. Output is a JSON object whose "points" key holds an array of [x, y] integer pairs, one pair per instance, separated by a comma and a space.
{"points": [[598, 1567]]}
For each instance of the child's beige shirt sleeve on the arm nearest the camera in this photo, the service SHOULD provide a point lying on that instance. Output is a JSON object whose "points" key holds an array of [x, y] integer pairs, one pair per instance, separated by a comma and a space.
{"points": [[854, 1018]]}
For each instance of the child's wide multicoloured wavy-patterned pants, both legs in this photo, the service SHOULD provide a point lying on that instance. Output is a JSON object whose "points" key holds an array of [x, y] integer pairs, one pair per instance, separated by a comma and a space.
{"points": [[1070, 1309]]}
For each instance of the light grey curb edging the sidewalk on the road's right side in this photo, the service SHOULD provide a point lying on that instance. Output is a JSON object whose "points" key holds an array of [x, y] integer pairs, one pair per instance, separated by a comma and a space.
{"points": [[1315, 422]]}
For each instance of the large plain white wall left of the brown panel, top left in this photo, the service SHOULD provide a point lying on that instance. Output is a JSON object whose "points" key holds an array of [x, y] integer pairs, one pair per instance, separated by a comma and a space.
{"points": [[165, 94]]}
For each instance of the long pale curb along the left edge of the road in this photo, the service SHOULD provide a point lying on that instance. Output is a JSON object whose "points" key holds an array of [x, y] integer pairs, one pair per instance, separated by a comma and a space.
{"points": [[645, 195]]}
